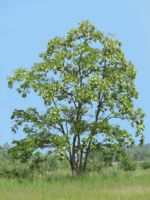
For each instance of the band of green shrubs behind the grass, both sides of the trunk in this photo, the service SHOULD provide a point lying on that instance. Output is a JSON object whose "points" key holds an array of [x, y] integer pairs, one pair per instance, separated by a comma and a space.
{"points": [[49, 163]]}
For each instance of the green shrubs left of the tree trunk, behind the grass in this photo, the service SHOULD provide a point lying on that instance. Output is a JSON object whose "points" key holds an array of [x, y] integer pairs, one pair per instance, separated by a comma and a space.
{"points": [[38, 165]]}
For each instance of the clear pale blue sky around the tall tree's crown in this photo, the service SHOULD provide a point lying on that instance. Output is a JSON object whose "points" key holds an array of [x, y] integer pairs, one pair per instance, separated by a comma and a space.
{"points": [[27, 25]]}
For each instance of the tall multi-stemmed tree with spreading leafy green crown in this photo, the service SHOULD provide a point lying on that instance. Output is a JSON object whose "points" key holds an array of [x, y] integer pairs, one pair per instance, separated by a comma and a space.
{"points": [[85, 83]]}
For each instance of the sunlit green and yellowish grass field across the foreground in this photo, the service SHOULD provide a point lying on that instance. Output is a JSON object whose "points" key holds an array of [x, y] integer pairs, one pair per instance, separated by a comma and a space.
{"points": [[109, 185]]}
